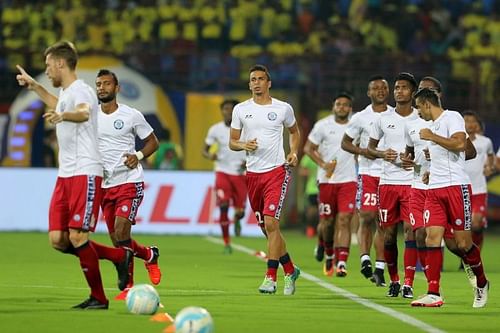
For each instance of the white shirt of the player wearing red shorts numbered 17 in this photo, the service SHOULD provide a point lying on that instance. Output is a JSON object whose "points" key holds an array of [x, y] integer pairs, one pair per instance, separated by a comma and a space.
{"points": [[391, 126]]}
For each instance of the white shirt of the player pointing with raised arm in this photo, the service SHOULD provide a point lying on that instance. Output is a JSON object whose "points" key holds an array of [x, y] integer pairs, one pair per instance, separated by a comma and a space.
{"points": [[78, 152]]}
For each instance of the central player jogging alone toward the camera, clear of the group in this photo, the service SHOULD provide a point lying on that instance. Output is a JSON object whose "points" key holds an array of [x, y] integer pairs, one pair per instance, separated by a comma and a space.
{"points": [[262, 118]]}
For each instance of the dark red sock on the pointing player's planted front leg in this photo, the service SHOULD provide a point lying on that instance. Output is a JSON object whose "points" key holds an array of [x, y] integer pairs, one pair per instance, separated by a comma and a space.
{"points": [[89, 262]]}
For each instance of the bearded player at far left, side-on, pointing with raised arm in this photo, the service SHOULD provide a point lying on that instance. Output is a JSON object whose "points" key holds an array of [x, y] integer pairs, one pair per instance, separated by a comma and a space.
{"points": [[74, 206]]}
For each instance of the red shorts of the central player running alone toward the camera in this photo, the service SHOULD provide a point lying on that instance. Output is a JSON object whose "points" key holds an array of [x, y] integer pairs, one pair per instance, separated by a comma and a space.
{"points": [[267, 191]]}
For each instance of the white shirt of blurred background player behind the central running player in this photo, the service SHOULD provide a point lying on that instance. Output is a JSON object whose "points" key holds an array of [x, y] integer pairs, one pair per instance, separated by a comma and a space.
{"points": [[228, 161]]}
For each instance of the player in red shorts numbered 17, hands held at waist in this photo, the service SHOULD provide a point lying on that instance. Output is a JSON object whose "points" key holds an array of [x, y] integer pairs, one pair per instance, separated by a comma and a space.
{"points": [[395, 184]]}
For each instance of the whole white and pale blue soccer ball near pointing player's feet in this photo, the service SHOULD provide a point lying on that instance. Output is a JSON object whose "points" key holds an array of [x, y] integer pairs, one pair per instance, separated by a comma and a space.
{"points": [[142, 299]]}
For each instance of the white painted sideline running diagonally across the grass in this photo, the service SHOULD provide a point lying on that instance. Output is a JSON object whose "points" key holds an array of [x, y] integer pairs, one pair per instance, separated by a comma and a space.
{"points": [[347, 294]]}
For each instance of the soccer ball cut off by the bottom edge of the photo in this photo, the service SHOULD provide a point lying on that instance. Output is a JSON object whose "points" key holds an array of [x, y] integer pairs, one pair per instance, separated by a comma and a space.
{"points": [[193, 319]]}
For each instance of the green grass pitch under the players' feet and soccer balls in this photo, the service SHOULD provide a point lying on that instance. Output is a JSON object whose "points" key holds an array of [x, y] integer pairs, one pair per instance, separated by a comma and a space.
{"points": [[38, 286]]}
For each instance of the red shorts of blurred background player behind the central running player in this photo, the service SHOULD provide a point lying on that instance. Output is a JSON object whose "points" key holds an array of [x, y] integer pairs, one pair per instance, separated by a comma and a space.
{"points": [[231, 188]]}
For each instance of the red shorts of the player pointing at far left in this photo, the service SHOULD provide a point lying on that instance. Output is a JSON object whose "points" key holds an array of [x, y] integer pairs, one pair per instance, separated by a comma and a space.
{"points": [[75, 203]]}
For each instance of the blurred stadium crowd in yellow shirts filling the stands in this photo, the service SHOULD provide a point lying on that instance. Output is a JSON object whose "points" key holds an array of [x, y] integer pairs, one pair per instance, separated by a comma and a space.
{"points": [[209, 44]]}
